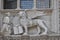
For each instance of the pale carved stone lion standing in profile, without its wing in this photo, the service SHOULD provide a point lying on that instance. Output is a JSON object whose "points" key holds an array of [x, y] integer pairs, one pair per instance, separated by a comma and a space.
{"points": [[28, 22]]}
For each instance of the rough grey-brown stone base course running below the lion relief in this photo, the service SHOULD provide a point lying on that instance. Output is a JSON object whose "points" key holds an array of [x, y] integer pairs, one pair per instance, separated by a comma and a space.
{"points": [[26, 37]]}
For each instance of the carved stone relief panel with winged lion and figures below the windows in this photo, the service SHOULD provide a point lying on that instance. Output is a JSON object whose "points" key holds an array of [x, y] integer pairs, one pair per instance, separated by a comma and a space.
{"points": [[26, 23]]}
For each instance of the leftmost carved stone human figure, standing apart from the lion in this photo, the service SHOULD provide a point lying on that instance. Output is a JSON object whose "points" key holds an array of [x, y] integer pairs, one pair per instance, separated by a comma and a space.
{"points": [[6, 29]]}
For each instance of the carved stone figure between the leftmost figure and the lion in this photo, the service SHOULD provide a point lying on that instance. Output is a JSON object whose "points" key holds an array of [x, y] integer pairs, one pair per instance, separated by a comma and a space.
{"points": [[17, 28]]}
